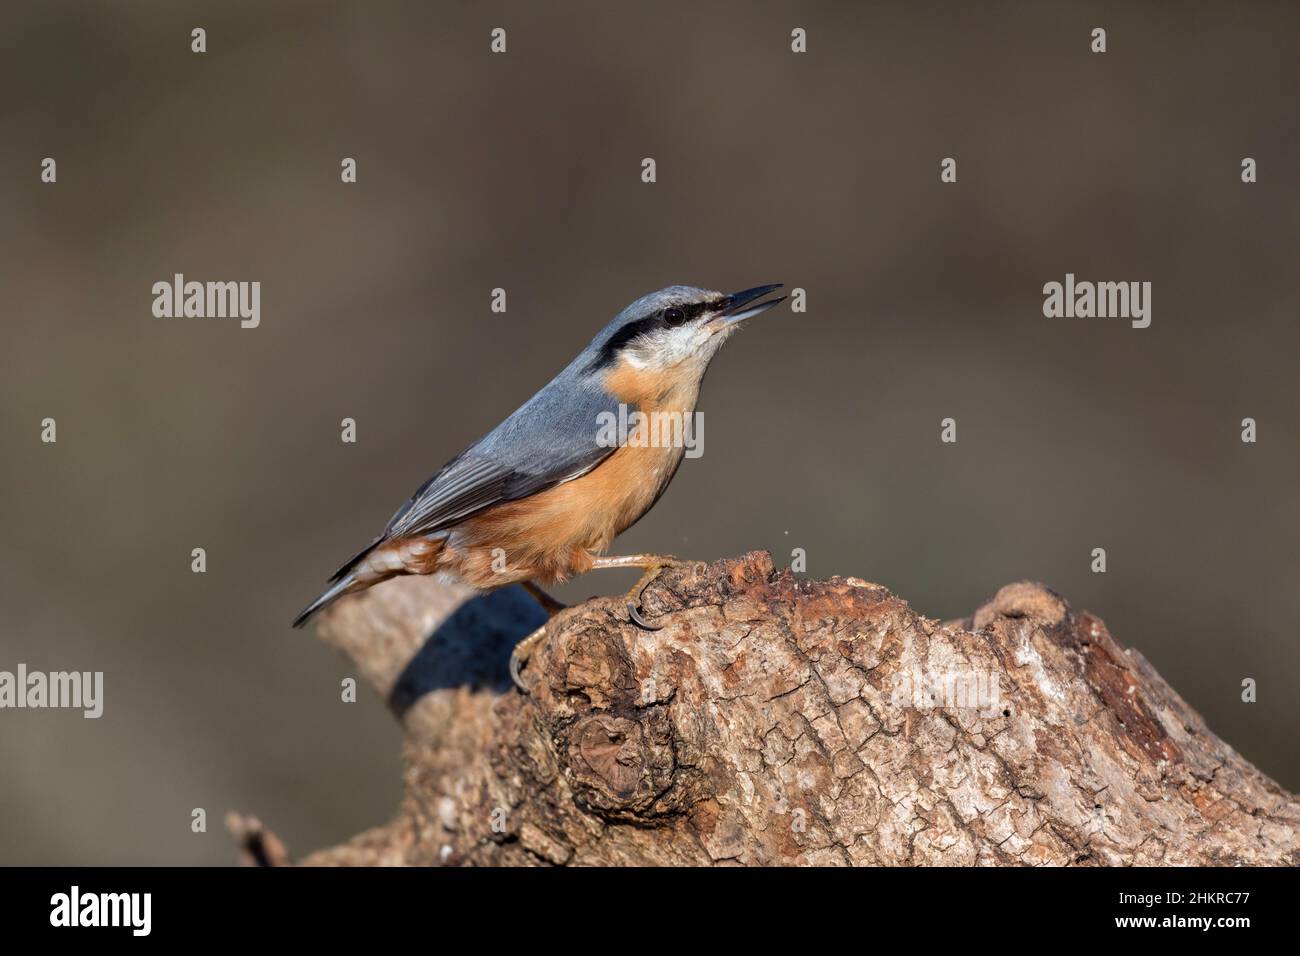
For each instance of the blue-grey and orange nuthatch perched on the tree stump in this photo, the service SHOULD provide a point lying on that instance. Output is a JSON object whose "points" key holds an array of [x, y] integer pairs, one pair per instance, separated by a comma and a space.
{"points": [[544, 495]]}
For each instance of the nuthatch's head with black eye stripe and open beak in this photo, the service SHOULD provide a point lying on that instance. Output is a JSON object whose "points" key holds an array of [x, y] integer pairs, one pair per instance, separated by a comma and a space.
{"points": [[677, 331]]}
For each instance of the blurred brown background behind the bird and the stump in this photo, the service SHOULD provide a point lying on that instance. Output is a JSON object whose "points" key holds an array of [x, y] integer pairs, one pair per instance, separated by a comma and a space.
{"points": [[523, 171]]}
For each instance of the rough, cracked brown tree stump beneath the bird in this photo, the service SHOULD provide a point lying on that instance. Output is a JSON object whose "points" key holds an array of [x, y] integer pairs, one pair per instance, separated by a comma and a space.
{"points": [[785, 721]]}
